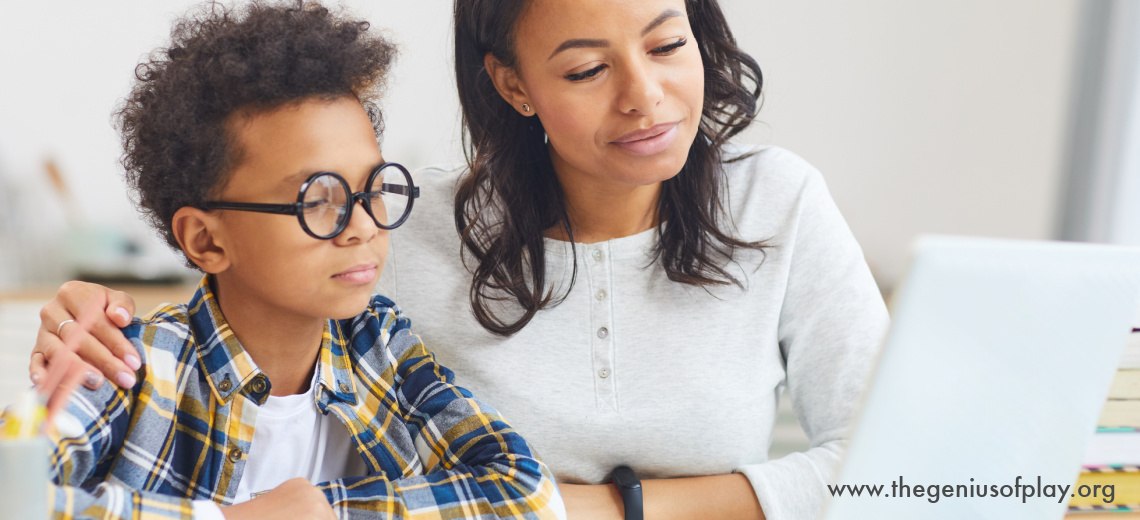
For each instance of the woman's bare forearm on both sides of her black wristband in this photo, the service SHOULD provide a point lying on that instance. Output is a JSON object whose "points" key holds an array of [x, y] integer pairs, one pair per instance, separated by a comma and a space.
{"points": [[722, 497]]}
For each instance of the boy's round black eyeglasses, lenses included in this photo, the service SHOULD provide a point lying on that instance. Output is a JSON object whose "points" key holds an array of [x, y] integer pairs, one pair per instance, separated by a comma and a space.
{"points": [[325, 204]]}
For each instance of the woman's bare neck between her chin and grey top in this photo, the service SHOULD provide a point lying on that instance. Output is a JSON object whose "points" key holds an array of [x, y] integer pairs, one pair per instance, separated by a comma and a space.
{"points": [[601, 210]]}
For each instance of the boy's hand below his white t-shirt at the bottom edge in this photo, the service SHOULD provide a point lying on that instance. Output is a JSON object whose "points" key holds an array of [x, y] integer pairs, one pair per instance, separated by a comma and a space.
{"points": [[295, 499]]}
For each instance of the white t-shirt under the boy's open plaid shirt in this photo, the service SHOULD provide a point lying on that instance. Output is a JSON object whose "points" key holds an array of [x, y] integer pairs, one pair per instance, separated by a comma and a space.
{"points": [[292, 440]]}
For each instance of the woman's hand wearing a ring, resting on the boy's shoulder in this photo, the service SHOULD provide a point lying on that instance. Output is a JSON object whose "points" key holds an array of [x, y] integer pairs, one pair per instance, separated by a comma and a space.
{"points": [[103, 351]]}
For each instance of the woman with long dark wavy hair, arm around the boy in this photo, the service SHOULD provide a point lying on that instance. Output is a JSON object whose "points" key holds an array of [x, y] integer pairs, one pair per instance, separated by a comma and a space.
{"points": [[623, 285]]}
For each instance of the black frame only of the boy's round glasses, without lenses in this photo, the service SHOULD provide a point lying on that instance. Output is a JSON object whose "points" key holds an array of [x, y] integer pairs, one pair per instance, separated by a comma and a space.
{"points": [[298, 208]]}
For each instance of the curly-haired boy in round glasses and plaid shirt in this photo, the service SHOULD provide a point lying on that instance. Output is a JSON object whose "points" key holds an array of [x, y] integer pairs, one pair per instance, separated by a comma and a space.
{"points": [[283, 369]]}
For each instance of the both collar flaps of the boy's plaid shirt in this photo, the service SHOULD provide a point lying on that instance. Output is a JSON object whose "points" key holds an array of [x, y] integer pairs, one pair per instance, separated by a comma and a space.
{"points": [[230, 368]]}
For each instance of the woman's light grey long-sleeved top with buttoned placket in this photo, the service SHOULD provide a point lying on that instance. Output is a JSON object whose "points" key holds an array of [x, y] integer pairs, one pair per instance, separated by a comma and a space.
{"points": [[671, 379]]}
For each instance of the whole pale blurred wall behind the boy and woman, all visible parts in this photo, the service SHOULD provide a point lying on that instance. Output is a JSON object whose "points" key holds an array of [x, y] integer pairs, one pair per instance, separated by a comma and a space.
{"points": [[924, 117]]}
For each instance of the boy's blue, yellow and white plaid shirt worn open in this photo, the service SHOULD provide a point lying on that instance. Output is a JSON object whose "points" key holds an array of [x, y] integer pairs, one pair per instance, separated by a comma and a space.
{"points": [[184, 432]]}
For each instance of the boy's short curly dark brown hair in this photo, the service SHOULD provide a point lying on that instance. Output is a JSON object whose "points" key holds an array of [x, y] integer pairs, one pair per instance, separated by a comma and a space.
{"points": [[222, 61]]}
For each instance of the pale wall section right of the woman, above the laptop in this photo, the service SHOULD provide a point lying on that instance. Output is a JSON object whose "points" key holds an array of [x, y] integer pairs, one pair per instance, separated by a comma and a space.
{"points": [[924, 117]]}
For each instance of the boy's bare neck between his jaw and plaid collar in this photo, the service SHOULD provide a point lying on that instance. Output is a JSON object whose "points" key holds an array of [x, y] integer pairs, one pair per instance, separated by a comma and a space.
{"points": [[284, 346]]}
